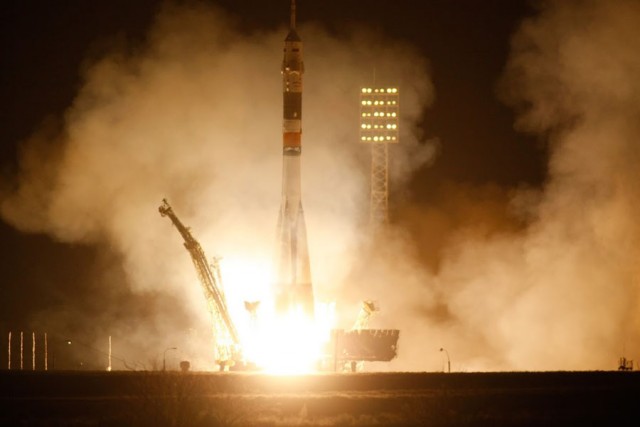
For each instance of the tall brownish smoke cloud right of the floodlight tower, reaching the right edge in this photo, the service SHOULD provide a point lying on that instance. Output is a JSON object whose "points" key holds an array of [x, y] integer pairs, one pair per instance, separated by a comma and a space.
{"points": [[563, 292]]}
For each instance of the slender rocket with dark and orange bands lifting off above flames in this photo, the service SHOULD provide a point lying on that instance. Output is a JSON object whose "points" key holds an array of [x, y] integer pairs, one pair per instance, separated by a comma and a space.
{"points": [[293, 287]]}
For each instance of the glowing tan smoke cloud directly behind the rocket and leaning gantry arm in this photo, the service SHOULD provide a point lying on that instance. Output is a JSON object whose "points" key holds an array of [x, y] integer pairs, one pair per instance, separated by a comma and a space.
{"points": [[194, 115]]}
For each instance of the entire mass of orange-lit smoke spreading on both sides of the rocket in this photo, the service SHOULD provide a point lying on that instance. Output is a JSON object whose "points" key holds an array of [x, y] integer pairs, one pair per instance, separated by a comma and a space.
{"points": [[503, 278]]}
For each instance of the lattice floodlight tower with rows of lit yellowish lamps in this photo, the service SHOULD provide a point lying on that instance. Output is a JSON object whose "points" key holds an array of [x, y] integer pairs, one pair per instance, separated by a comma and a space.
{"points": [[379, 114]]}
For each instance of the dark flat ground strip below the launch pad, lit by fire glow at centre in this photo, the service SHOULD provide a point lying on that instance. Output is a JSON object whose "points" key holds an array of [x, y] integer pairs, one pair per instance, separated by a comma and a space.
{"points": [[390, 399]]}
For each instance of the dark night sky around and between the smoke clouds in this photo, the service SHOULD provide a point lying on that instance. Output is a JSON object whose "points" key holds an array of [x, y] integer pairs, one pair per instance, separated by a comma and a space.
{"points": [[44, 45]]}
